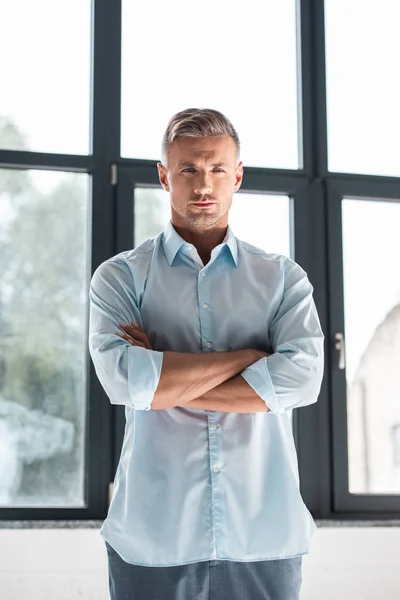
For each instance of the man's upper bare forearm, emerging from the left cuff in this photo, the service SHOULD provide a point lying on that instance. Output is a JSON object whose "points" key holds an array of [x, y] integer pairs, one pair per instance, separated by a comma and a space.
{"points": [[187, 376]]}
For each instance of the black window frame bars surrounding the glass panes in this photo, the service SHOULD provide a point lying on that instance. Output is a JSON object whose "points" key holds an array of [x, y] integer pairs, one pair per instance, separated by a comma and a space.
{"points": [[315, 224]]}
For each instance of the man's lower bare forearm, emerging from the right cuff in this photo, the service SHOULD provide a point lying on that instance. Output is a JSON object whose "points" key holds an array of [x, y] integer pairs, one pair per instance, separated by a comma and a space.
{"points": [[234, 395]]}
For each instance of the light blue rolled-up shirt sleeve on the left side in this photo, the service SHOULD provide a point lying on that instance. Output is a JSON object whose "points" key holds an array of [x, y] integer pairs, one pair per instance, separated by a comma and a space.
{"points": [[129, 374]]}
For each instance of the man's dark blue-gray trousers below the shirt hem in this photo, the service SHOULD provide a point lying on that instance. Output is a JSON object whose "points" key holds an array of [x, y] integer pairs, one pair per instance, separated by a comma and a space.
{"points": [[207, 580]]}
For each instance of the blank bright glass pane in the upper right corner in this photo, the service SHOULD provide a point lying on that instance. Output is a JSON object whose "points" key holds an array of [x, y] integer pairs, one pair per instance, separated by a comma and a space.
{"points": [[363, 94]]}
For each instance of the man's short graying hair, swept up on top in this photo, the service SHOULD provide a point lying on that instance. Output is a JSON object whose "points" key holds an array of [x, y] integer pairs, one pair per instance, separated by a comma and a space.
{"points": [[197, 123]]}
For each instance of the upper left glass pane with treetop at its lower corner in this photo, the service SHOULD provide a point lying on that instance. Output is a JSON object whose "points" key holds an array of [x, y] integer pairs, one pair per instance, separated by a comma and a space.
{"points": [[45, 75]]}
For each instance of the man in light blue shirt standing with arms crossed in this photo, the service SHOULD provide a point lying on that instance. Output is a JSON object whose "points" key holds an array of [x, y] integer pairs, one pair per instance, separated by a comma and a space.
{"points": [[226, 341]]}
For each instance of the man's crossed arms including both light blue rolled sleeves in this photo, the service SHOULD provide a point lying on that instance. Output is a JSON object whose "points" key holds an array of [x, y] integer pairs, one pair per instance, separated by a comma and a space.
{"points": [[245, 380]]}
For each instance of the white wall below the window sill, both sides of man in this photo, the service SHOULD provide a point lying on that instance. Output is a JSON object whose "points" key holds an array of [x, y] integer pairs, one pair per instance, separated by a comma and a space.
{"points": [[71, 564]]}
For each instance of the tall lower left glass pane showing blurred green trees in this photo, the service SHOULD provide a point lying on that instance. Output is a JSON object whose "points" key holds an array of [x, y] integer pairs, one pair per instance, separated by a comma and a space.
{"points": [[44, 265]]}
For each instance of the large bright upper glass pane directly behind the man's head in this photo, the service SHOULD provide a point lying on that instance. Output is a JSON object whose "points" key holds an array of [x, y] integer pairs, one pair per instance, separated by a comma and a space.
{"points": [[244, 64]]}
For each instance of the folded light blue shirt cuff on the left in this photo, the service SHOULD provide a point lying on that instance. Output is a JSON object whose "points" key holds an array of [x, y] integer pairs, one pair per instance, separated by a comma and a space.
{"points": [[144, 372]]}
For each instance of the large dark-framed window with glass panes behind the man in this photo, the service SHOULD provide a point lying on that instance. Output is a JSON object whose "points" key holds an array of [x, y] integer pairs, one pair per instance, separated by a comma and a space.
{"points": [[87, 91]]}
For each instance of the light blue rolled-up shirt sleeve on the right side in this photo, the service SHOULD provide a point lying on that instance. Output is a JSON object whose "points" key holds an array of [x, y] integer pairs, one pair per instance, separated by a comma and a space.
{"points": [[291, 377]]}
